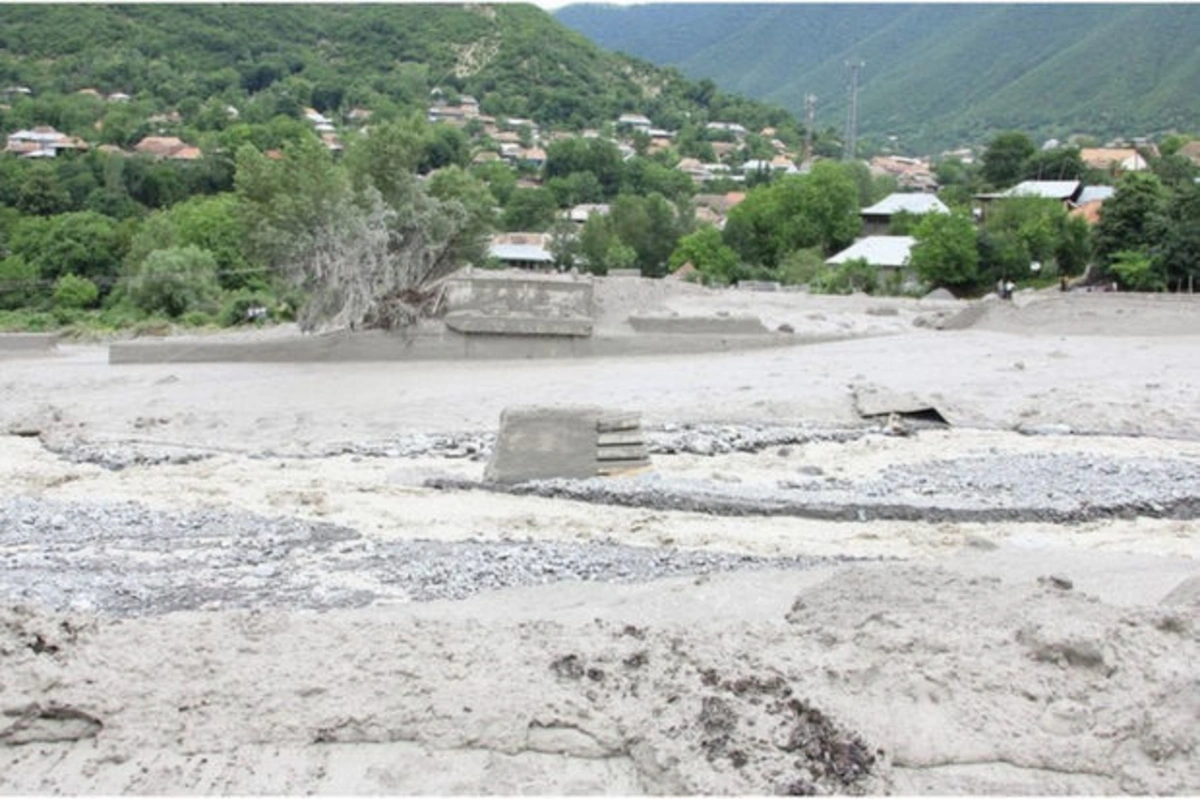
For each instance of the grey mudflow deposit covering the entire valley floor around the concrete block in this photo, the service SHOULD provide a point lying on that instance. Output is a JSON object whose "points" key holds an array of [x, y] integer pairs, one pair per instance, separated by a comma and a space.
{"points": [[895, 546]]}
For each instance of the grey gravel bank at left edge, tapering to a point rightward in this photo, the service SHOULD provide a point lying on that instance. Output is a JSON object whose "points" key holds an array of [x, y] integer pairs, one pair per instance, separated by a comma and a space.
{"points": [[125, 560]]}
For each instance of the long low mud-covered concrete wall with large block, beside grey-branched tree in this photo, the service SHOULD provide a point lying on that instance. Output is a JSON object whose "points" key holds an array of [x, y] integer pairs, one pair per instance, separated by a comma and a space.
{"points": [[488, 315]]}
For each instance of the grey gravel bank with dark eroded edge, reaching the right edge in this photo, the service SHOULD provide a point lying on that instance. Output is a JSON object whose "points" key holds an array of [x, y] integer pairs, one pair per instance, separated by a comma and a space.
{"points": [[1023, 488]]}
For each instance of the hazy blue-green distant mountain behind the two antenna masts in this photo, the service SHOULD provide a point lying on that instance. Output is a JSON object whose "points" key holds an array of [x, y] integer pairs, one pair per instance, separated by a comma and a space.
{"points": [[935, 75]]}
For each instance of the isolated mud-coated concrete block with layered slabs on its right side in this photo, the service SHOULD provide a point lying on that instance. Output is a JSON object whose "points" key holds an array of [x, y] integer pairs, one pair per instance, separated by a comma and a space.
{"points": [[538, 443]]}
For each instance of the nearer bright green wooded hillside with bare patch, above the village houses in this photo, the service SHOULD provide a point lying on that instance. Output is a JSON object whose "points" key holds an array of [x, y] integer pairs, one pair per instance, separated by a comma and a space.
{"points": [[271, 59]]}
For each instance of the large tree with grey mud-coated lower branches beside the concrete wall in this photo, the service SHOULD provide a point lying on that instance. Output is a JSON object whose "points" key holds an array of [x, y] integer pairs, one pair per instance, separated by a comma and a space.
{"points": [[364, 241]]}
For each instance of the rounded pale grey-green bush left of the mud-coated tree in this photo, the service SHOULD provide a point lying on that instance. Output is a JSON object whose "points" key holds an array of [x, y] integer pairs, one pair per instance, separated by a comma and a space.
{"points": [[176, 281]]}
